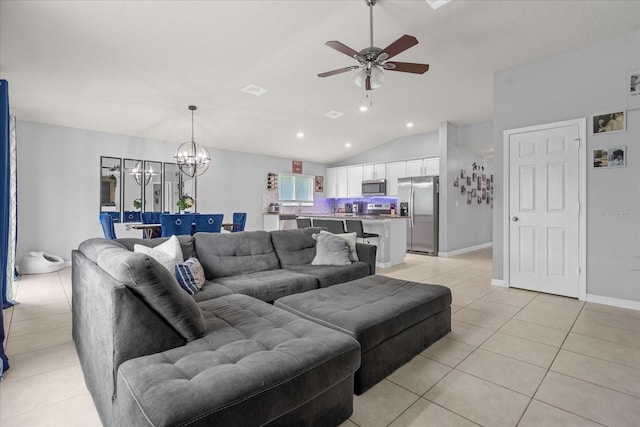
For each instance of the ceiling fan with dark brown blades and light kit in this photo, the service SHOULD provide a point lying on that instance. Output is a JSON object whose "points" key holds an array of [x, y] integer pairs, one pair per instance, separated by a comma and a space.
{"points": [[372, 60]]}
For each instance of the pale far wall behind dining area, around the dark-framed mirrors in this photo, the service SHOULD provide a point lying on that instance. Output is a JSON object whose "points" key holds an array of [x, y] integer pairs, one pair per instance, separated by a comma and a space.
{"points": [[58, 183]]}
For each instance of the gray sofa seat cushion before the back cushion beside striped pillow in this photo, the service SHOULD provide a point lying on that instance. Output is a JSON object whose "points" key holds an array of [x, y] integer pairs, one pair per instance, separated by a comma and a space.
{"points": [[269, 285]]}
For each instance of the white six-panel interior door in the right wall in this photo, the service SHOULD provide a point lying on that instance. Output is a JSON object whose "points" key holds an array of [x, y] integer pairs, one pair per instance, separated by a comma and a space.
{"points": [[544, 209]]}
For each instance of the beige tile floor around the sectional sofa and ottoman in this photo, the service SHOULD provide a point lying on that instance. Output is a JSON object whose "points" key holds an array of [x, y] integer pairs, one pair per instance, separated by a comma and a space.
{"points": [[513, 358]]}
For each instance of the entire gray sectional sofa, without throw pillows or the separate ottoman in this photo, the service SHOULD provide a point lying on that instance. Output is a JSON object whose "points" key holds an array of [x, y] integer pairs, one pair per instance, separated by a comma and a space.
{"points": [[153, 355]]}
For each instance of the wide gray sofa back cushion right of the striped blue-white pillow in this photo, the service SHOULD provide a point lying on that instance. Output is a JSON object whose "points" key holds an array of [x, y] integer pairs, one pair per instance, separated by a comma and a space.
{"points": [[231, 254]]}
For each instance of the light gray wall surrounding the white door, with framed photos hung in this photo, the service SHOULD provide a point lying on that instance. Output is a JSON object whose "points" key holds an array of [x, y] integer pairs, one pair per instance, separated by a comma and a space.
{"points": [[581, 83]]}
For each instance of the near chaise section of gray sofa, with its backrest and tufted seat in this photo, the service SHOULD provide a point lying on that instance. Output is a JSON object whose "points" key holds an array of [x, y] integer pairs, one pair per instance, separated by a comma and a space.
{"points": [[152, 356]]}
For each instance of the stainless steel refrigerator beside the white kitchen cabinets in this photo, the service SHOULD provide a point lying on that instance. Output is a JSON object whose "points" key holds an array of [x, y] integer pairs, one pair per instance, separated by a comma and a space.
{"points": [[418, 198]]}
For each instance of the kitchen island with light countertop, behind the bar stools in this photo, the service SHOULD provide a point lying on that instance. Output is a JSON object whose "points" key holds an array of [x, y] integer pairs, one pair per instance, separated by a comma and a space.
{"points": [[391, 229]]}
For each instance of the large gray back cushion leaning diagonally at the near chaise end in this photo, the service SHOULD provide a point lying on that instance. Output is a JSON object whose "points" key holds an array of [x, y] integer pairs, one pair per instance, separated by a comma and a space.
{"points": [[151, 282]]}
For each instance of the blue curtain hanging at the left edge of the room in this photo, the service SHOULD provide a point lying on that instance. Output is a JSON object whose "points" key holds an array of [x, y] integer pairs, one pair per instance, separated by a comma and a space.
{"points": [[6, 202]]}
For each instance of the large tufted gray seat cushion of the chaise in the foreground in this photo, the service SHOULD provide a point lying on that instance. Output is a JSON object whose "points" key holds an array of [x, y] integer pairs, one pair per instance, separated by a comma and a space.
{"points": [[255, 363]]}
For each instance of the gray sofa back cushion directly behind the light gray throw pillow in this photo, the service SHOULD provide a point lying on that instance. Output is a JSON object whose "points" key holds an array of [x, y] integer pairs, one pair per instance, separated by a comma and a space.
{"points": [[295, 247]]}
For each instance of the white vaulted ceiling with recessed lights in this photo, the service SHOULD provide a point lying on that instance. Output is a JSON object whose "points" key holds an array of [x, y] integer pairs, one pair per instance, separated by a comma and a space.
{"points": [[133, 67]]}
